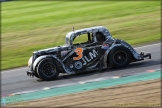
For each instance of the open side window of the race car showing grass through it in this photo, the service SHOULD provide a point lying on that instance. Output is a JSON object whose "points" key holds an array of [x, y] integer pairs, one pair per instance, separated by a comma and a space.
{"points": [[81, 39]]}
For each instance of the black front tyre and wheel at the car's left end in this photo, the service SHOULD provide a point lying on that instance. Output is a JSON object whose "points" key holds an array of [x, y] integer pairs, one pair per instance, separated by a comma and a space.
{"points": [[47, 69]]}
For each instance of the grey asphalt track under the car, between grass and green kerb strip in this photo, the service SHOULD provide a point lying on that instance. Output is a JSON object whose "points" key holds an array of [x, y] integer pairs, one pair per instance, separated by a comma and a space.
{"points": [[16, 80]]}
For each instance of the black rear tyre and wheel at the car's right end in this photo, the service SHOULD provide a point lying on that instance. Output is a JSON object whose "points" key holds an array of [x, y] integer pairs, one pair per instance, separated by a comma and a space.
{"points": [[119, 57]]}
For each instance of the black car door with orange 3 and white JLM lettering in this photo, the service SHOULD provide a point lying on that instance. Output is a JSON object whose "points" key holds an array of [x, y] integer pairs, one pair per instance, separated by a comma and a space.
{"points": [[86, 58]]}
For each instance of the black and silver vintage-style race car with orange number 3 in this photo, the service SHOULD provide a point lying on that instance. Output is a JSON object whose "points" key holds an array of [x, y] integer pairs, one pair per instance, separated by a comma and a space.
{"points": [[98, 52]]}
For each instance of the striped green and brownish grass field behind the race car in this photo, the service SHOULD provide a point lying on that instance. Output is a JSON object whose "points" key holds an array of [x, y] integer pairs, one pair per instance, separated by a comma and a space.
{"points": [[34, 25]]}
